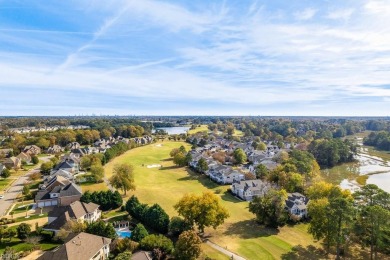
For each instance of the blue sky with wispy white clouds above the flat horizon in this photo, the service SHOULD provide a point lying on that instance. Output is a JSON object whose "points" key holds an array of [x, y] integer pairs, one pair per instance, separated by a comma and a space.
{"points": [[138, 57]]}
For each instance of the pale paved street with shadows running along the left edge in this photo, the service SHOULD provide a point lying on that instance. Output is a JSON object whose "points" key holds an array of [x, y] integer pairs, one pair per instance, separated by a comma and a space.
{"points": [[16, 188]]}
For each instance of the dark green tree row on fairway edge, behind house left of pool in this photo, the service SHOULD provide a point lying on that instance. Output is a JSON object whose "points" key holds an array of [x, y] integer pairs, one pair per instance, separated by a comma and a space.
{"points": [[106, 199]]}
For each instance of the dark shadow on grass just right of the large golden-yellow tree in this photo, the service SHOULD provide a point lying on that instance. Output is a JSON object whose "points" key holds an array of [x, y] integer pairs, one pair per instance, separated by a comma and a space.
{"points": [[247, 229]]}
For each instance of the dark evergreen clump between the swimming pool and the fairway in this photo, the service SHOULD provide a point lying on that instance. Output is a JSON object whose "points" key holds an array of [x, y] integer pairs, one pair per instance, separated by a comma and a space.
{"points": [[154, 217]]}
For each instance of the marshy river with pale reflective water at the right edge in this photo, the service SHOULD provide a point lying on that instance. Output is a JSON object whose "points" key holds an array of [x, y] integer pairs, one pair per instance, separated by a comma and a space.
{"points": [[375, 165]]}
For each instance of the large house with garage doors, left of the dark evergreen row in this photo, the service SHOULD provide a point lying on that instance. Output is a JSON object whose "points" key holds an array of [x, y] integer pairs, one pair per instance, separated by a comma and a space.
{"points": [[58, 195]]}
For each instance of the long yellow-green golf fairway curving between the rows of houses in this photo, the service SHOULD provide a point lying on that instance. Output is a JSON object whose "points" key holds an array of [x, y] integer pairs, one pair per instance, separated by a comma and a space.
{"points": [[167, 184]]}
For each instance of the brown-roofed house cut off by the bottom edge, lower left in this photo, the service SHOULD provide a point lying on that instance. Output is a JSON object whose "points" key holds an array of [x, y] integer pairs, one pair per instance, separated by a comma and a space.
{"points": [[82, 246]]}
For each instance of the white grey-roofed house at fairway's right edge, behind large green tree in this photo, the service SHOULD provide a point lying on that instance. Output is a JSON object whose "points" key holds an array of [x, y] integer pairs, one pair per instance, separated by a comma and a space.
{"points": [[247, 190]]}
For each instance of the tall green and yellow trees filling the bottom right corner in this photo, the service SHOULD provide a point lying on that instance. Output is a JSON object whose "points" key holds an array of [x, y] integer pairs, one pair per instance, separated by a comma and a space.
{"points": [[338, 218]]}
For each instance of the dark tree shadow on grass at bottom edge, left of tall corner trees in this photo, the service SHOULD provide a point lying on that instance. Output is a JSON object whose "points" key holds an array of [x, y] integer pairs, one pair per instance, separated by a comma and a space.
{"points": [[304, 253]]}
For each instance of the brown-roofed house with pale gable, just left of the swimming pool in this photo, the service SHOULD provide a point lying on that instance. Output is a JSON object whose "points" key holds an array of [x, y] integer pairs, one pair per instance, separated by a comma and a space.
{"points": [[78, 211]]}
